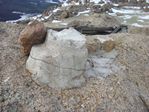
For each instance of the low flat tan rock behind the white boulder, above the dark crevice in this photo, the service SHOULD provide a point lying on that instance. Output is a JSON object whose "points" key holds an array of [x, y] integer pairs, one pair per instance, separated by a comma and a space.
{"points": [[96, 20]]}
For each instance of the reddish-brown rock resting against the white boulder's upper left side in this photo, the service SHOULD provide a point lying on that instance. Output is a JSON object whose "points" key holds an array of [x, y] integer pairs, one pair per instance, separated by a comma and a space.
{"points": [[33, 33]]}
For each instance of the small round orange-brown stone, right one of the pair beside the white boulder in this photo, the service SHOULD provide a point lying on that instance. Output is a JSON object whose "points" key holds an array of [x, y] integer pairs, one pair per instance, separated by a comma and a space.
{"points": [[108, 45]]}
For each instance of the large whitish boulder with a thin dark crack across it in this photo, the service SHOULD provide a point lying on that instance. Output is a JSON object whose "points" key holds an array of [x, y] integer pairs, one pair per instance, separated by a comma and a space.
{"points": [[60, 61]]}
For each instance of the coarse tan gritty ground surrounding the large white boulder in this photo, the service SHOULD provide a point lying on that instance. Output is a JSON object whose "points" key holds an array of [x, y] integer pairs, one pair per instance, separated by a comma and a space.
{"points": [[124, 91]]}
